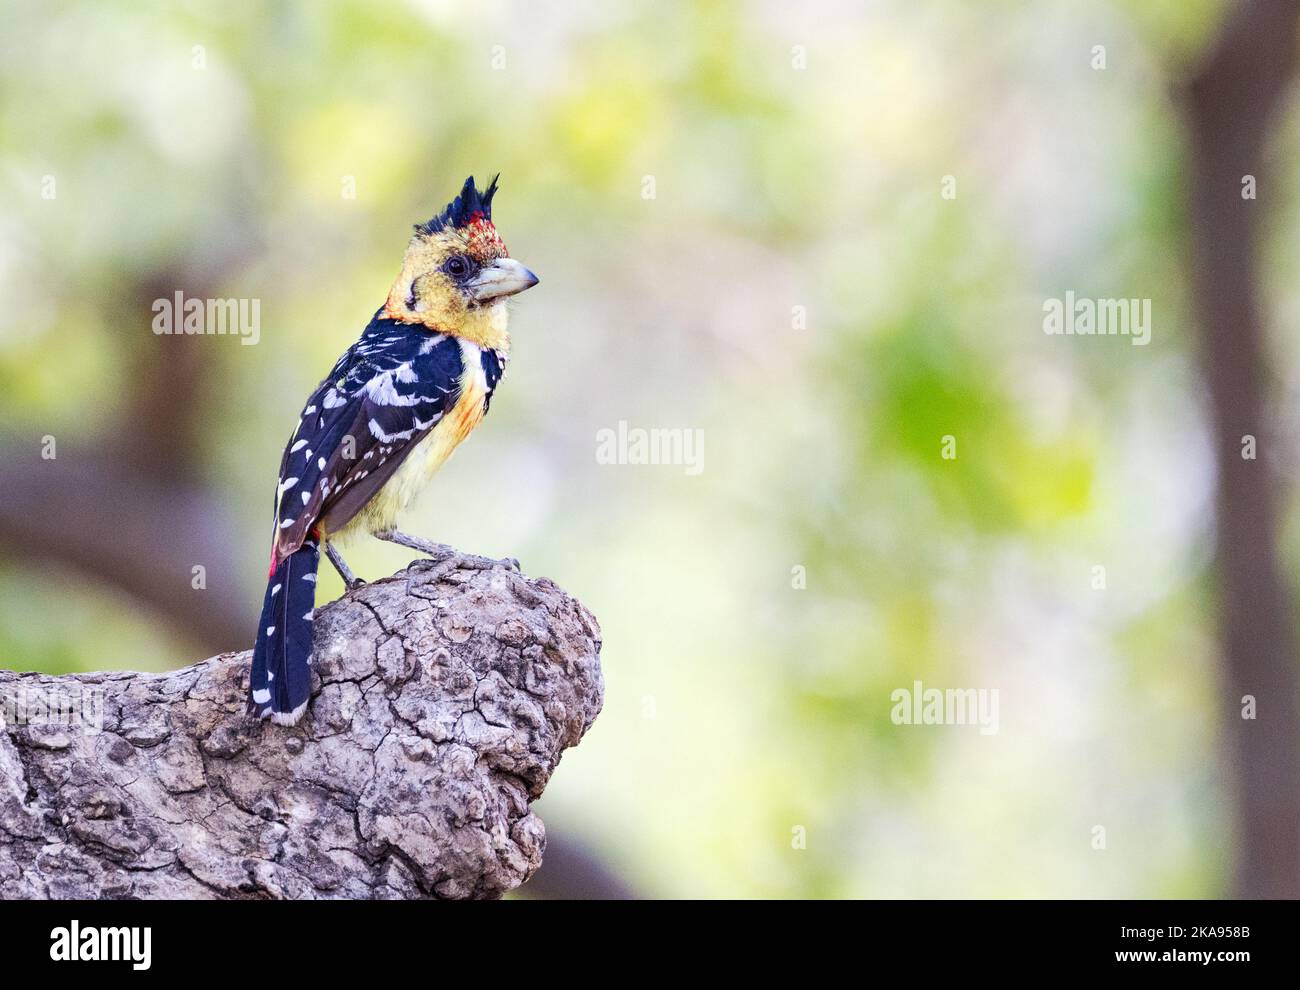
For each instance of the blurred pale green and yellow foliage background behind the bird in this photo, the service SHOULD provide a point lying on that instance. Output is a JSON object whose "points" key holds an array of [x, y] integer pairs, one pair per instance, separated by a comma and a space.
{"points": [[799, 289]]}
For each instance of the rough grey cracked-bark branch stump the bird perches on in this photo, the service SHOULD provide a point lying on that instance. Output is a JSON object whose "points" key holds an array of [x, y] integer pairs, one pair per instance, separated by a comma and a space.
{"points": [[443, 701]]}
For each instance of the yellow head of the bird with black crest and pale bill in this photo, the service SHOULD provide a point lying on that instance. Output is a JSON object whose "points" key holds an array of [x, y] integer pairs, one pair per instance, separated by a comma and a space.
{"points": [[457, 273]]}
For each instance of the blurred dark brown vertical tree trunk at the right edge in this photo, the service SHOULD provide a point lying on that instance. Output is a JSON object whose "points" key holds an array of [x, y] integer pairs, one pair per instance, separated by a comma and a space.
{"points": [[1232, 106]]}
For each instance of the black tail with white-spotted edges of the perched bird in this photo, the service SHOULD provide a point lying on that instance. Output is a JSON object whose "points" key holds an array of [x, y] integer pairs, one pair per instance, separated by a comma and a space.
{"points": [[281, 676]]}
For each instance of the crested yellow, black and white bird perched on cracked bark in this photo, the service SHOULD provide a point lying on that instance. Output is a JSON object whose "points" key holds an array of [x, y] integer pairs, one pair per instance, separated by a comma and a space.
{"points": [[383, 422]]}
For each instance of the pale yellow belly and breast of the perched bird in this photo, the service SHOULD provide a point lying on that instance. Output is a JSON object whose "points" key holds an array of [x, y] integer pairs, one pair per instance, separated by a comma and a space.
{"points": [[382, 513]]}
